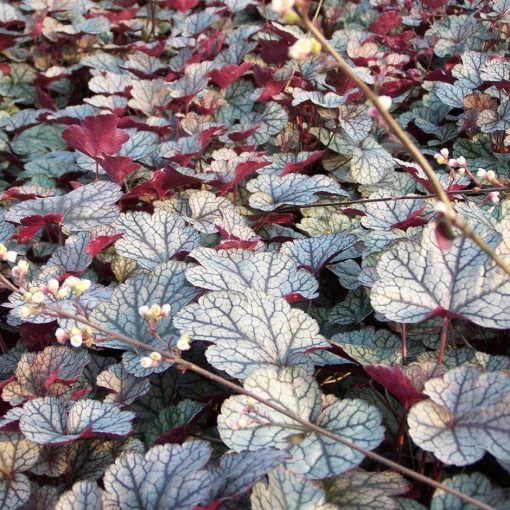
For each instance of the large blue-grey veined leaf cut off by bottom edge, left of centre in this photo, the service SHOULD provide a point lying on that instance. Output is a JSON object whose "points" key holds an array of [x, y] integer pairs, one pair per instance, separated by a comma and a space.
{"points": [[168, 476]]}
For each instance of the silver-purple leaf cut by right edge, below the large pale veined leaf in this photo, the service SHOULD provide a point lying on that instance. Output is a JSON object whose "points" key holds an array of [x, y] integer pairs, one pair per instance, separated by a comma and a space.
{"points": [[468, 414]]}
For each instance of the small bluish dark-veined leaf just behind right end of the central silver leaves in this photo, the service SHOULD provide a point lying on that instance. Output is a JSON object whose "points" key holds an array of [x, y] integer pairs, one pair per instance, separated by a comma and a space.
{"points": [[313, 253]]}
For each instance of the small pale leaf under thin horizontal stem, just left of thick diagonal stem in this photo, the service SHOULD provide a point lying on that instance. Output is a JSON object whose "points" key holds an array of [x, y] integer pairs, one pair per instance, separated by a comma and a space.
{"points": [[385, 215]]}
